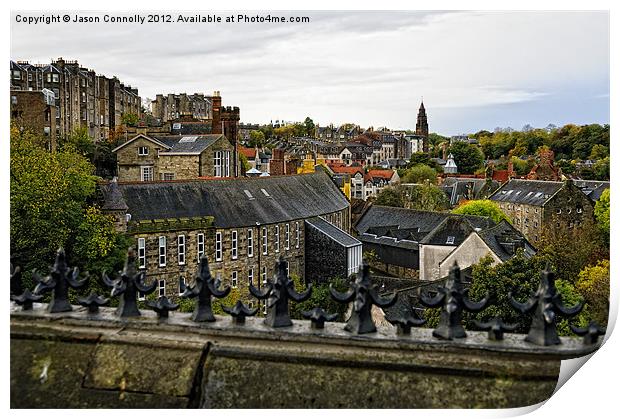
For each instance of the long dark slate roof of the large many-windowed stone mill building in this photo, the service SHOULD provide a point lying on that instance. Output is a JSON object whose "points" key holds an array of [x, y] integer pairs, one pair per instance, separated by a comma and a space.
{"points": [[287, 198]]}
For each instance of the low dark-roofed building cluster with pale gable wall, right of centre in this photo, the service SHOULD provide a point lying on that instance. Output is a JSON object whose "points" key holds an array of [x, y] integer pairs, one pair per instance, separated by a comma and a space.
{"points": [[422, 244]]}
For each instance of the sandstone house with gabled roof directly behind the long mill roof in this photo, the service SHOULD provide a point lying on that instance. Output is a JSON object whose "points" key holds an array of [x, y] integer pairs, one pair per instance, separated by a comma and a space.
{"points": [[174, 157]]}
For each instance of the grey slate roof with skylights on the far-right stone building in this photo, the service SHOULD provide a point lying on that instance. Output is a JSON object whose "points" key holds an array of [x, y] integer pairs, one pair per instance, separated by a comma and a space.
{"points": [[530, 192]]}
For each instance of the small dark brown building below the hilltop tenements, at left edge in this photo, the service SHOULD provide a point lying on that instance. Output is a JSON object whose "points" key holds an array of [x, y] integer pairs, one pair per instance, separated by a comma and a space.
{"points": [[35, 110]]}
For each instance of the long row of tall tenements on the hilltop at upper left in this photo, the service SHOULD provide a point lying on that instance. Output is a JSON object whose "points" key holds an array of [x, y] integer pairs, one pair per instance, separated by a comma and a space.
{"points": [[83, 98]]}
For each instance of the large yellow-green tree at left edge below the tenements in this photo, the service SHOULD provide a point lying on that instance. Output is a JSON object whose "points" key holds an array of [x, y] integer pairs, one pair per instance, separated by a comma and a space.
{"points": [[48, 200]]}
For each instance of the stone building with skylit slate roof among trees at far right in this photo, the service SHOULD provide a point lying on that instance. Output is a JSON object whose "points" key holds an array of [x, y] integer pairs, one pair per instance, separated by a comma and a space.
{"points": [[532, 205]]}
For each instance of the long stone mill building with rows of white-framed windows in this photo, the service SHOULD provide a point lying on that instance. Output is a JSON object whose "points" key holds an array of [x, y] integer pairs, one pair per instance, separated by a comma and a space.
{"points": [[243, 225]]}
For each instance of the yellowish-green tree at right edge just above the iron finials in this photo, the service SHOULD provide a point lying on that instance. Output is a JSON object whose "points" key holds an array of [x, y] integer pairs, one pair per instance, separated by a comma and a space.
{"points": [[593, 284]]}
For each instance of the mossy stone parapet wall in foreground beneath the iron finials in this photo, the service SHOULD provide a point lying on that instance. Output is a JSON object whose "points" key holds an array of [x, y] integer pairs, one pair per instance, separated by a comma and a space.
{"points": [[72, 360]]}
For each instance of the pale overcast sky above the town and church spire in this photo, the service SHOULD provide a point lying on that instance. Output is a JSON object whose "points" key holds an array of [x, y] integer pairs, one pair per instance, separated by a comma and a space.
{"points": [[475, 70]]}
